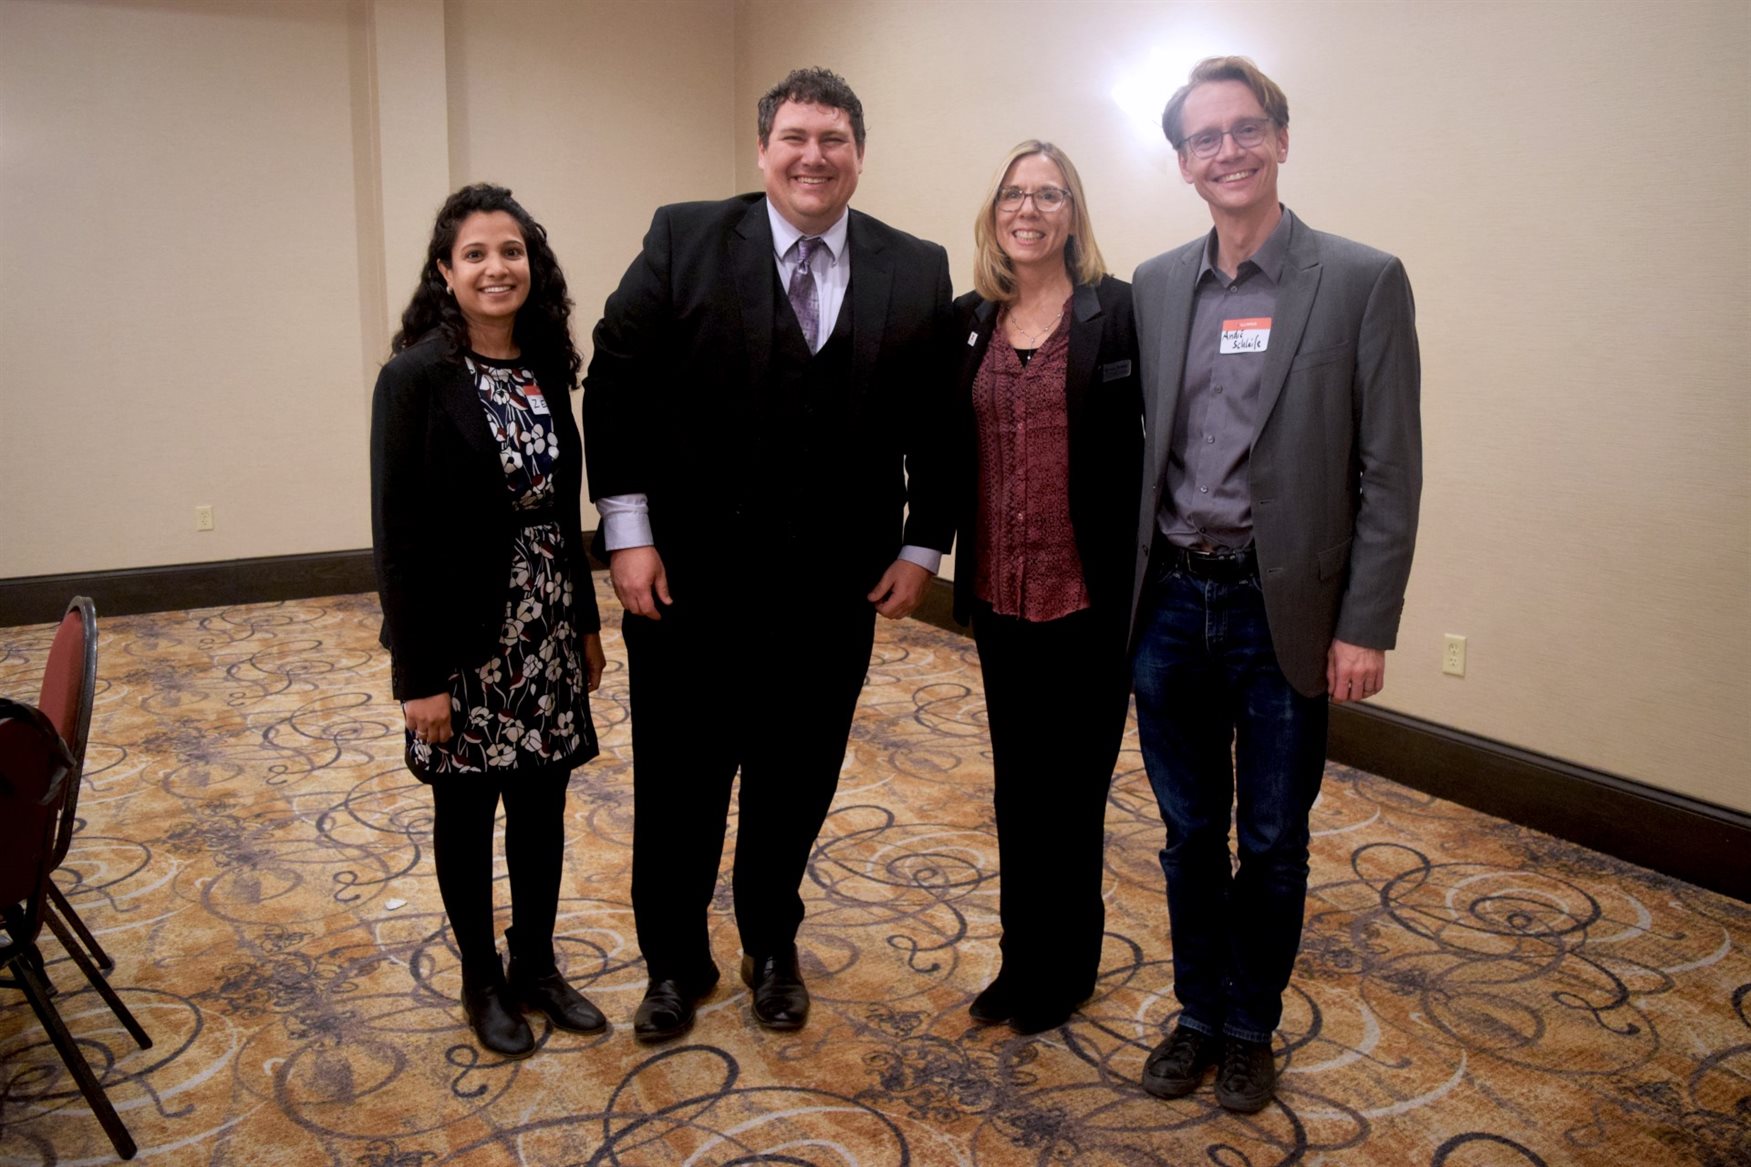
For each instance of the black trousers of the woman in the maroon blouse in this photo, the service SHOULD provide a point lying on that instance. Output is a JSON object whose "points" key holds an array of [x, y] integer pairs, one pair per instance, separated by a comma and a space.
{"points": [[1057, 695]]}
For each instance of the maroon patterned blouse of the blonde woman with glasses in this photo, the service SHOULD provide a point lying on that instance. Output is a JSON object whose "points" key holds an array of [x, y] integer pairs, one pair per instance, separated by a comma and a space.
{"points": [[1029, 563]]}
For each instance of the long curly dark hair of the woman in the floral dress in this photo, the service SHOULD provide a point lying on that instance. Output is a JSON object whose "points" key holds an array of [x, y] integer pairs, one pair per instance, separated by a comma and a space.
{"points": [[544, 323]]}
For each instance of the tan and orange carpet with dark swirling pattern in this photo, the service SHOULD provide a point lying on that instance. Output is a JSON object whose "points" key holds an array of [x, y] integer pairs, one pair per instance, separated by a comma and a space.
{"points": [[1470, 994]]}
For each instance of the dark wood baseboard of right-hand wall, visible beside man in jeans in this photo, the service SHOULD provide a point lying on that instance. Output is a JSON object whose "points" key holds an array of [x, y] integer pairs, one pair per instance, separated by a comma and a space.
{"points": [[1673, 835]]}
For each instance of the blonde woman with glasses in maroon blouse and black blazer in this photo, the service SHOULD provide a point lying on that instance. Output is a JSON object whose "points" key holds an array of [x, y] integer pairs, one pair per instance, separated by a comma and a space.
{"points": [[1051, 430]]}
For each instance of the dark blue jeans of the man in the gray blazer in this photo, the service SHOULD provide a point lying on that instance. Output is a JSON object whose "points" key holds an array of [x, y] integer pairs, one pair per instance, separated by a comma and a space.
{"points": [[1207, 681]]}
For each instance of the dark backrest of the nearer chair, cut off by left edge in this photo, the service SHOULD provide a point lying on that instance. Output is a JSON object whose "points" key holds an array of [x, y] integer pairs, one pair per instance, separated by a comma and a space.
{"points": [[34, 770]]}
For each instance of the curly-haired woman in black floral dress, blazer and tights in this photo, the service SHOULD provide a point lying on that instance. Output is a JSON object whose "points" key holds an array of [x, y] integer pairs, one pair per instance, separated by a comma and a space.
{"points": [[489, 614]]}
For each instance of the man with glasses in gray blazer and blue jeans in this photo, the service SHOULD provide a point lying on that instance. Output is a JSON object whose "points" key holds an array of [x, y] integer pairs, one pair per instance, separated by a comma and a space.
{"points": [[1279, 513]]}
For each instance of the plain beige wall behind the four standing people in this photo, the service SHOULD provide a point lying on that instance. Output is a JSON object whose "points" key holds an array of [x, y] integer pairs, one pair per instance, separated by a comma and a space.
{"points": [[211, 213]]}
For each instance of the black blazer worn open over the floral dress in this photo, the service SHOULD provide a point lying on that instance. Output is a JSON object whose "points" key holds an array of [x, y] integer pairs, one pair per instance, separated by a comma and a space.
{"points": [[442, 520]]}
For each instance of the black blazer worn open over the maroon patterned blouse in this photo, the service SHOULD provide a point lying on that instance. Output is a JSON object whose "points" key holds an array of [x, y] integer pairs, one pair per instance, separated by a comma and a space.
{"points": [[1106, 416]]}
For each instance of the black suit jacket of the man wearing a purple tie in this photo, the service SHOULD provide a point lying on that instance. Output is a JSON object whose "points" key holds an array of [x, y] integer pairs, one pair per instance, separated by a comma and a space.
{"points": [[680, 392]]}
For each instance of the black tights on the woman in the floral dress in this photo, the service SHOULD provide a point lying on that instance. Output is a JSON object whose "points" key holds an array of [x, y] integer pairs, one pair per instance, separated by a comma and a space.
{"points": [[535, 851]]}
